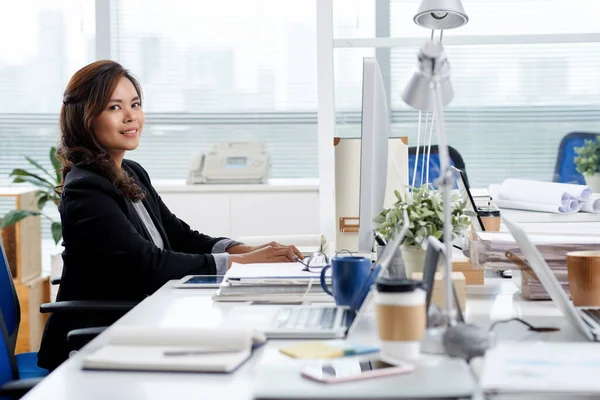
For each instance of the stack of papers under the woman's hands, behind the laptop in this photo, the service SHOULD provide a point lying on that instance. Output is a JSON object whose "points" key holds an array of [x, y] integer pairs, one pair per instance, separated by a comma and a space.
{"points": [[272, 282]]}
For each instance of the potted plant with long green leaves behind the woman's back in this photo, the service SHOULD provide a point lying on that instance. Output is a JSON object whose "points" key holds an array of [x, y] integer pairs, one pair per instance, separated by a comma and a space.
{"points": [[46, 181]]}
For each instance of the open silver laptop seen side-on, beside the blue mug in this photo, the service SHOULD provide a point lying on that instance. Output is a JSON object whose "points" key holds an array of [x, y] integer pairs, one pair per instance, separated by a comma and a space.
{"points": [[315, 321]]}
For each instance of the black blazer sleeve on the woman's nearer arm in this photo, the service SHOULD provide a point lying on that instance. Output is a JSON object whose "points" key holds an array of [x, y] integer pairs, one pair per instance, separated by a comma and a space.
{"points": [[95, 225]]}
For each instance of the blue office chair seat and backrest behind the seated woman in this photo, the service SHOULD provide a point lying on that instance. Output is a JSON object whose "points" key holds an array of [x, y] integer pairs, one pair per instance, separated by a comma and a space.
{"points": [[11, 315]]}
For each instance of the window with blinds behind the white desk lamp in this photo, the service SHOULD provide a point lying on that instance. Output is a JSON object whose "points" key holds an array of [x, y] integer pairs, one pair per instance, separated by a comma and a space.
{"points": [[520, 86]]}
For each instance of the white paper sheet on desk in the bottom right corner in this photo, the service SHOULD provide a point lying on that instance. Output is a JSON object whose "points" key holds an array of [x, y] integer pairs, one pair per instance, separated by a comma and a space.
{"points": [[542, 367]]}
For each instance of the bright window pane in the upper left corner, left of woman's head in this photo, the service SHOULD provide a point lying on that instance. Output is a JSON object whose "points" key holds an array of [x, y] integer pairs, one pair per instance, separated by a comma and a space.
{"points": [[44, 43]]}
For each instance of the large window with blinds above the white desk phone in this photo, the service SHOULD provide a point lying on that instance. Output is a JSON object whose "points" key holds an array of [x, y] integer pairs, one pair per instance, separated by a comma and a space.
{"points": [[222, 71]]}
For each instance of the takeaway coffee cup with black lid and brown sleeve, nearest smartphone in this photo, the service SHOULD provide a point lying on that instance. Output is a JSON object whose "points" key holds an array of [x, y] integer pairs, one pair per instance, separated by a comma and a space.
{"points": [[401, 317]]}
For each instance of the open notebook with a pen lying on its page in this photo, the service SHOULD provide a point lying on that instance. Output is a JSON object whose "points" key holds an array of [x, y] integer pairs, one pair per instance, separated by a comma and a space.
{"points": [[174, 349]]}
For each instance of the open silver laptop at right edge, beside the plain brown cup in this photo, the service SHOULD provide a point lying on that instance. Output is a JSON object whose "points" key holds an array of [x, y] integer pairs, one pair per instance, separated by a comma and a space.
{"points": [[585, 319]]}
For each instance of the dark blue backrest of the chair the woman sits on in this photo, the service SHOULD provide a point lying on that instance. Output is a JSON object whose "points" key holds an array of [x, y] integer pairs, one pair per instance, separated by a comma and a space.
{"points": [[9, 302]]}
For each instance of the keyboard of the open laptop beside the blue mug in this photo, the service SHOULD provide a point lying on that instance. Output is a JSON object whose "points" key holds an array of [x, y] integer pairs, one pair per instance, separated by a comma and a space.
{"points": [[305, 318]]}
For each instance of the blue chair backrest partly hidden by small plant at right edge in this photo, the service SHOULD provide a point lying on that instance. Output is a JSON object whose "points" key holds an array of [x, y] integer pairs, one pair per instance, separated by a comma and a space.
{"points": [[565, 170]]}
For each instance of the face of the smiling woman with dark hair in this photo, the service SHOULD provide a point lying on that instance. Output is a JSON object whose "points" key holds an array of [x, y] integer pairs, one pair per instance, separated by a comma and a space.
{"points": [[119, 127]]}
